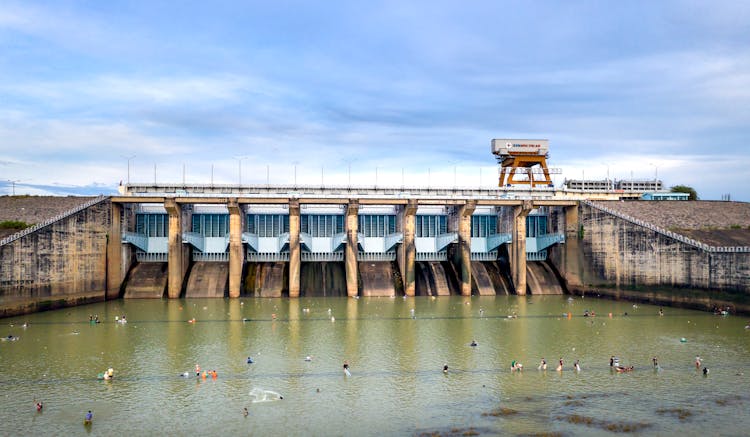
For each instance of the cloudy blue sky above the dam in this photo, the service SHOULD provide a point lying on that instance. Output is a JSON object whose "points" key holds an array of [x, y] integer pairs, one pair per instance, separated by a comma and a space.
{"points": [[96, 93]]}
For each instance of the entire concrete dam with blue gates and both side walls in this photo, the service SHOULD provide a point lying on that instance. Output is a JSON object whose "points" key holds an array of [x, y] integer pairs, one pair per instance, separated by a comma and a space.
{"points": [[232, 241]]}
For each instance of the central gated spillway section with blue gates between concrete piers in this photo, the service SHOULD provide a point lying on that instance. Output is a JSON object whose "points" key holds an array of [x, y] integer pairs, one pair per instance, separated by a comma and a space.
{"points": [[219, 240]]}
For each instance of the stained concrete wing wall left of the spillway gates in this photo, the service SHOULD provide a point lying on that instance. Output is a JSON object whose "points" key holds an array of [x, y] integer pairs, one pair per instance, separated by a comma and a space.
{"points": [[58, 262]]}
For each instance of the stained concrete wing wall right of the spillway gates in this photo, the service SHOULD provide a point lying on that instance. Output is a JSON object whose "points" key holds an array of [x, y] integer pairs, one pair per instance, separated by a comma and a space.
{"points": [[612, 253]]}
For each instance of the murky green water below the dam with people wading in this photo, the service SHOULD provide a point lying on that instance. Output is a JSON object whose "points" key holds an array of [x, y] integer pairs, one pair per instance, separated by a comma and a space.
{"points": [[396, 356]]}
